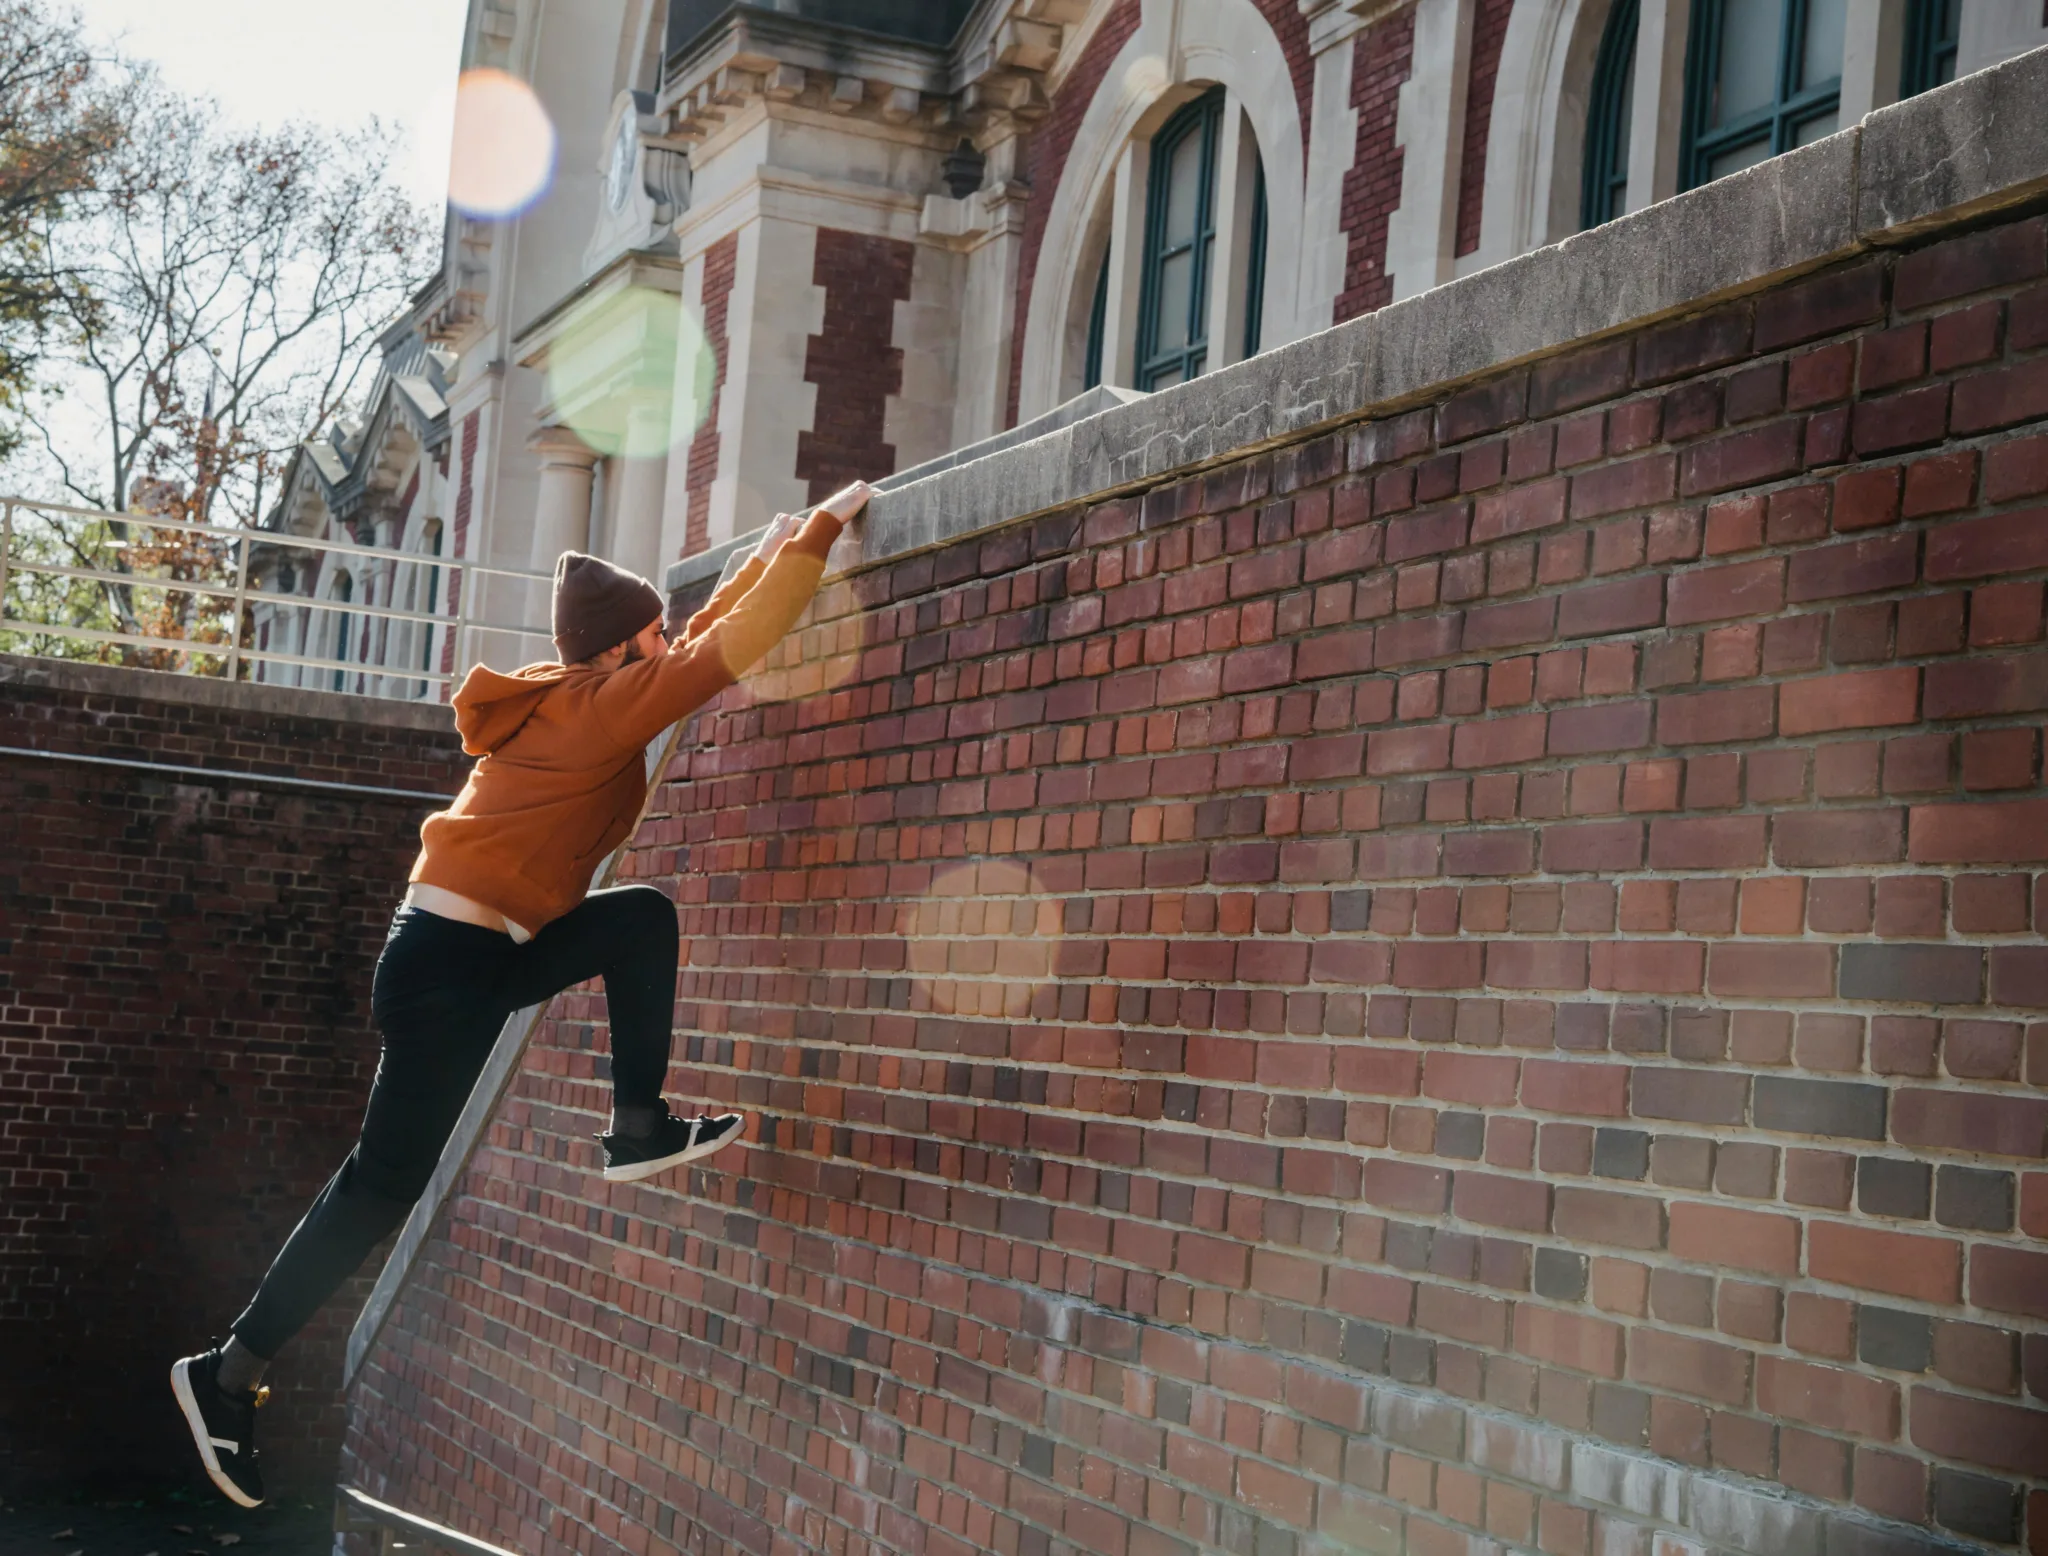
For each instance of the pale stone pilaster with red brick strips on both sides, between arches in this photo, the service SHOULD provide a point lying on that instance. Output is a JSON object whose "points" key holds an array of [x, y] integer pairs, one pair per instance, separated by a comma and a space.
{"points": [[1422, 234]]}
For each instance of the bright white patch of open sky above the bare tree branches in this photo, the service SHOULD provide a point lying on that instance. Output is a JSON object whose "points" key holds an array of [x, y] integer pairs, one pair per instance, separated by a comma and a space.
{"points": [[275, 60]]}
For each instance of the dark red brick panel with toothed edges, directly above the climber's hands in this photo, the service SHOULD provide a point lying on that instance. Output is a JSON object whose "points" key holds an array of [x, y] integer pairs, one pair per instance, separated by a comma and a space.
{"points": [[851, 359]]}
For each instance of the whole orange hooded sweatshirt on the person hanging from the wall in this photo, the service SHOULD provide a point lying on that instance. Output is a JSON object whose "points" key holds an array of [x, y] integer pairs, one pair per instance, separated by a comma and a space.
{"points": [[562, 775]]}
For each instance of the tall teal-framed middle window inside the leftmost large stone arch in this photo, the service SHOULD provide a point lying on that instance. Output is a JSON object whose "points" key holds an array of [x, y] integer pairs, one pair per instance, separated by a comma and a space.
{"points": [[1181, 241]]}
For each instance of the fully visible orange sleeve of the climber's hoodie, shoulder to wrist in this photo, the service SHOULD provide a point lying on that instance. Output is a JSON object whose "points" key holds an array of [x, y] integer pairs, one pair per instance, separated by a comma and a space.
{"points": [[638, 703]]}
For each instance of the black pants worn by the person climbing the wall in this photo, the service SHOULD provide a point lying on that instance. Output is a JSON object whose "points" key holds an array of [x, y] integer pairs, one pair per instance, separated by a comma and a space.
{"points": [[441, 996]]}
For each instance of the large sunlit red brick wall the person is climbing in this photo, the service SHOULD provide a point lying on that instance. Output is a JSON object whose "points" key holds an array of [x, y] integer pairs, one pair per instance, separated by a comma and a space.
{"points": [[1287, 1012]]}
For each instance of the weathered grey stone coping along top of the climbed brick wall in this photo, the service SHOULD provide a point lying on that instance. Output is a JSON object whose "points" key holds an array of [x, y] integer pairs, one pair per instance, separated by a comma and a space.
{"points": [[1947, 157]]}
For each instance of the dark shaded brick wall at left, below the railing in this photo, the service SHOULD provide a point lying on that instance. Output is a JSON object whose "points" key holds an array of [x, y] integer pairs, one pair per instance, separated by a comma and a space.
{"points": [[185, 1049]]}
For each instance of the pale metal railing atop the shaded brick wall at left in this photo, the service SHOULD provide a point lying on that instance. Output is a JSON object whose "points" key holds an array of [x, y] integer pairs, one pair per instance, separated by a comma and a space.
{"points": [[189, 593]]}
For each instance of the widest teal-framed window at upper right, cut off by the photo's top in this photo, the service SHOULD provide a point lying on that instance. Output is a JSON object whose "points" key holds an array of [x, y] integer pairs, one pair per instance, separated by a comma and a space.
{"points": [[1762, 77]]}
